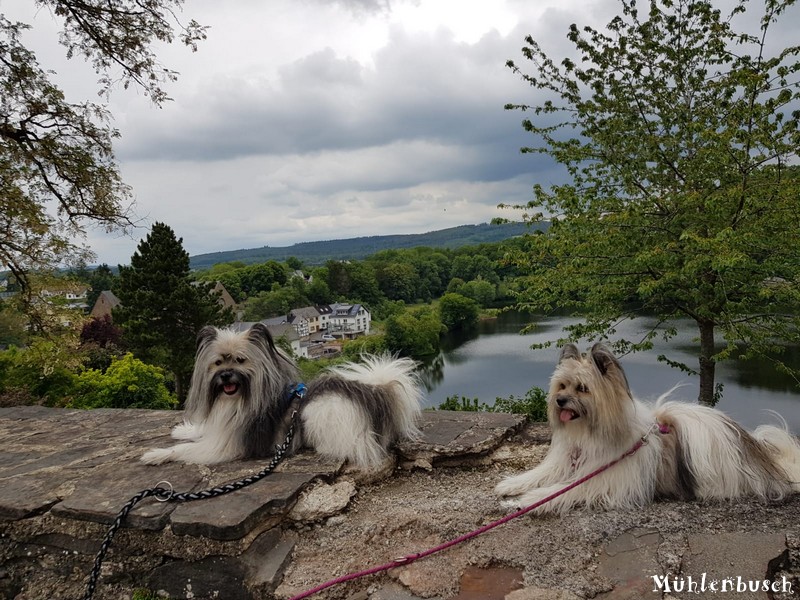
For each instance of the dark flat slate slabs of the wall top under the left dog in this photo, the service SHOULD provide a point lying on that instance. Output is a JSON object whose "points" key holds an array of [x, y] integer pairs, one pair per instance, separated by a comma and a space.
{"points": [[66, 474]]}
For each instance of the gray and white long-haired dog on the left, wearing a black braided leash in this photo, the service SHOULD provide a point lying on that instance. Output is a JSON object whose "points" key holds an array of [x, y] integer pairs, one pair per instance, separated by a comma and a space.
{"points": [[240, 403]]}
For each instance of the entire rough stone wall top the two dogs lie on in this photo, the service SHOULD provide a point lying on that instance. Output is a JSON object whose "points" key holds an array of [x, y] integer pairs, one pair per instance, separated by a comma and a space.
{"points": [[64, 474]]}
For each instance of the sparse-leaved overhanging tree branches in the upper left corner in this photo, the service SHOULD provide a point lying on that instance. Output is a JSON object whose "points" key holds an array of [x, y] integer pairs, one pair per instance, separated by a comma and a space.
{"points": [[55, 153]]}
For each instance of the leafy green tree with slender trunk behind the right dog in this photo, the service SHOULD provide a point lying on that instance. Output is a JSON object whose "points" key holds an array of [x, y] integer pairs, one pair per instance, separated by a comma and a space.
{"points": [[675, 129]]}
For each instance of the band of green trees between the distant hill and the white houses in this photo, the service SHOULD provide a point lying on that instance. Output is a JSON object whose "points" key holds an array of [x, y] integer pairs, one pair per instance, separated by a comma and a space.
{"points": [[412, 276]]}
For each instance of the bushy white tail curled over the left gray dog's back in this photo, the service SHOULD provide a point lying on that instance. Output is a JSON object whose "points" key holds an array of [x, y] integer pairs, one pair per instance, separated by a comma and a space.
{"points": [[396, 375]]}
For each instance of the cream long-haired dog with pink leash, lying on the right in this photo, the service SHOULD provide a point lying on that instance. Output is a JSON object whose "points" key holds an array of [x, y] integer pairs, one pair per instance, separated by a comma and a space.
{"points": [[703, 454]]}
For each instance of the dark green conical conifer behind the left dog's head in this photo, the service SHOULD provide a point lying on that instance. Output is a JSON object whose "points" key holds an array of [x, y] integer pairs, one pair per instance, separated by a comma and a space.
{"points": [[161, 310]]}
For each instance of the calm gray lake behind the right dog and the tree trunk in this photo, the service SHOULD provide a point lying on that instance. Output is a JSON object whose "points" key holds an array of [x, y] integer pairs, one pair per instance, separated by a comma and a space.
{"points": [[493, 360]]}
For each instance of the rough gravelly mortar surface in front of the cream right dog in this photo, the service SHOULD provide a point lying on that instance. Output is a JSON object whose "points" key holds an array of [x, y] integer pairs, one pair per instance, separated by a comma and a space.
{"points": [[415, 510]]}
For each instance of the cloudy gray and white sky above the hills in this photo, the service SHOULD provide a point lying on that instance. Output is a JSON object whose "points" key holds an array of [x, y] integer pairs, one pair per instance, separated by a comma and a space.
{"points": [[305, 120]]}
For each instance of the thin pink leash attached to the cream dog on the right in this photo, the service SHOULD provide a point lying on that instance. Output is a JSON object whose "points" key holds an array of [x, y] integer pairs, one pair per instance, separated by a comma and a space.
{"points": [[405, 560]]}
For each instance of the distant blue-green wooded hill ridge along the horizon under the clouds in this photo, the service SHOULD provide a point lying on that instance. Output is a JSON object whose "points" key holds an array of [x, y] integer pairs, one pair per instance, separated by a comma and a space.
{"points": [[316, 253]]}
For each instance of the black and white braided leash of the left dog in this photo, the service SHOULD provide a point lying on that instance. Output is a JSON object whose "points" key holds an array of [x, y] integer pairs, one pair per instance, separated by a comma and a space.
{"points": [[163, 494]]}
